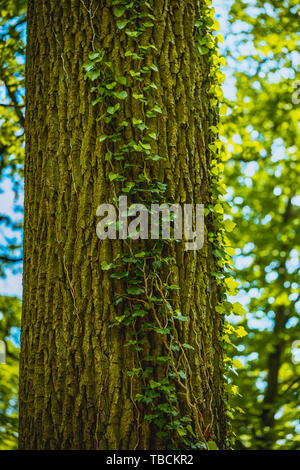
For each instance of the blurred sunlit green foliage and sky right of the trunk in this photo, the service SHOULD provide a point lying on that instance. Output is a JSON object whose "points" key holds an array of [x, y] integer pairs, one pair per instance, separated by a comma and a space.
{"points": [[263, 174]]}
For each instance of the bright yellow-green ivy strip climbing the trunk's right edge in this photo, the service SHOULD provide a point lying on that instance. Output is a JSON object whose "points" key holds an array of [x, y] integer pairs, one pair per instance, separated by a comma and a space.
{"points": [[223, 252]]}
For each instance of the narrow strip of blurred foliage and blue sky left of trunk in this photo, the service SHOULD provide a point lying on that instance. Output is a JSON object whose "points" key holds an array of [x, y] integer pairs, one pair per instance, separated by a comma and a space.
{"points": [[12, 27]]}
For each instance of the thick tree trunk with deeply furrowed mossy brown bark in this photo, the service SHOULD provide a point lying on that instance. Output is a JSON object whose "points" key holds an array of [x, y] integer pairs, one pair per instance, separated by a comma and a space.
{"points": [[75, 392]]}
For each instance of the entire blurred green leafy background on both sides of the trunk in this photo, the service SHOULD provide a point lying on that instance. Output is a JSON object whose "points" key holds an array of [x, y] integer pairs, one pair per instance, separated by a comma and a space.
{"points": [[262, 173]]}
